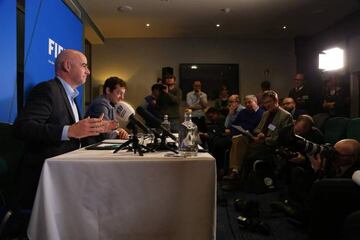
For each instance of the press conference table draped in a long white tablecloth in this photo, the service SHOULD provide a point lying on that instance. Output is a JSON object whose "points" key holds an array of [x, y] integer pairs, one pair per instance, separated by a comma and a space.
{"points": [[95, 194]]}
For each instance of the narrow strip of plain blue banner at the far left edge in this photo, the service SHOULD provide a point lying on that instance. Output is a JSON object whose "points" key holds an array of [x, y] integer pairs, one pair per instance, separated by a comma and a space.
{"points": [[8, 89]]}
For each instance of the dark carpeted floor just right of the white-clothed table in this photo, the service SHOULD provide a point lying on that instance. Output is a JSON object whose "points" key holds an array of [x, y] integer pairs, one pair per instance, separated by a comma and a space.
{"points": [[228, 228]]}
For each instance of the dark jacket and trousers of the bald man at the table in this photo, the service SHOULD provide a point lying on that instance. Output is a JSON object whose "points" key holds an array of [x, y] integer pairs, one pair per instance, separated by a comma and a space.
{"points": [[46, 112]]}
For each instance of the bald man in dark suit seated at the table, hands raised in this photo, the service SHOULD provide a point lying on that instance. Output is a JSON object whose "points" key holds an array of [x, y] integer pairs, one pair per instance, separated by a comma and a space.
{"points": [[50, 123]]}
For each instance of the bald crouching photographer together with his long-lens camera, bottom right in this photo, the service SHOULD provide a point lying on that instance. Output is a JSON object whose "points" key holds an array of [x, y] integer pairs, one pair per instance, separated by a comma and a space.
{"points": [[333, 195]]}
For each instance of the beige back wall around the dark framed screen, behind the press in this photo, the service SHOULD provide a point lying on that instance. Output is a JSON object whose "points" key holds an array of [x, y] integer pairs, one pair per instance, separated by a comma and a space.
{"points": [[139, 61]]}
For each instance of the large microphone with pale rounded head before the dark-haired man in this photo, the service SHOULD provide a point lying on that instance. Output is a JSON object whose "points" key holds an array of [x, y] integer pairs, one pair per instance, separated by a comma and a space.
{"points": [[125, 112]]}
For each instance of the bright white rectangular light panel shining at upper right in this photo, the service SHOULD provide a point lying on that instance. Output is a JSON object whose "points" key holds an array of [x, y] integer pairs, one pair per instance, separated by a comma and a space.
{"points": [[331, 59]]}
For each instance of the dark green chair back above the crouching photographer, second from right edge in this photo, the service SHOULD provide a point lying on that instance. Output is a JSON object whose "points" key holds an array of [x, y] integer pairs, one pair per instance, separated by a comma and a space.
{"points": [[335, 129]]}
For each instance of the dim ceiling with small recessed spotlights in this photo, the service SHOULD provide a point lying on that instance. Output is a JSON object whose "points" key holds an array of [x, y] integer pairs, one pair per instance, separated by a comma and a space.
{"points": [[198, 18]]}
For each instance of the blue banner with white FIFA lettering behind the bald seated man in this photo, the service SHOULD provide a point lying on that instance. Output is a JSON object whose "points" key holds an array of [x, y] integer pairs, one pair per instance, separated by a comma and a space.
{"points": [[50, 27]]}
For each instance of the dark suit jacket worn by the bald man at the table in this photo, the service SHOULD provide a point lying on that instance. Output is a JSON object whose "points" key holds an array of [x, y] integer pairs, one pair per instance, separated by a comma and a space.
{"points": [[46, 112]]}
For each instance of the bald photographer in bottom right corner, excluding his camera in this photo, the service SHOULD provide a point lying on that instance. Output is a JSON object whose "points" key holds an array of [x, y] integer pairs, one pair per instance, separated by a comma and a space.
{"points": [[334, 198]]}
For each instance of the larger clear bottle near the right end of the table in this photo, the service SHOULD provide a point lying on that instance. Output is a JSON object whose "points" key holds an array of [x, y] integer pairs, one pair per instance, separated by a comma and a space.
{"points": [[188, 136]]}
